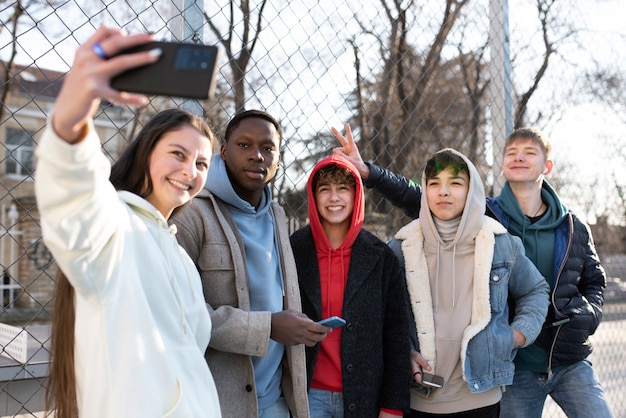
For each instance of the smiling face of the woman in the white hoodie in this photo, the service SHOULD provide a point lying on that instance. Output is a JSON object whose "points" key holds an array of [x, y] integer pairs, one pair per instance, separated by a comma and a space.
{"points": [[178, 168]]}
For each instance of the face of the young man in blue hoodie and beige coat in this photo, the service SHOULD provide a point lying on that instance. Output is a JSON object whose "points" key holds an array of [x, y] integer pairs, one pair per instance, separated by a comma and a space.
{"points": [[251, 155]]}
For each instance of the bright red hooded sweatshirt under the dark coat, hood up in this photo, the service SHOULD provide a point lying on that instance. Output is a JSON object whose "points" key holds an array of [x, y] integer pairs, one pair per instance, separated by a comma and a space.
{"points": [[333, 266]]}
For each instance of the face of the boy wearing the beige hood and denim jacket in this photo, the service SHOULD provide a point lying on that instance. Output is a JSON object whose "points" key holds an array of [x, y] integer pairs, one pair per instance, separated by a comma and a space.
{"points": [[446, 193]]}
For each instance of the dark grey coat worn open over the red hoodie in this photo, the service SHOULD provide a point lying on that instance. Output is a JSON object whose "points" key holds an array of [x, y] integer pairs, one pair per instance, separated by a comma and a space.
{"points": [[375, 343]]}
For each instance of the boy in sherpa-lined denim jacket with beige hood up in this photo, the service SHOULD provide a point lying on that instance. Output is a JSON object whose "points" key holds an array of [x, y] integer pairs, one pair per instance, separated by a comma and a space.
{"points": [[461, 266]]}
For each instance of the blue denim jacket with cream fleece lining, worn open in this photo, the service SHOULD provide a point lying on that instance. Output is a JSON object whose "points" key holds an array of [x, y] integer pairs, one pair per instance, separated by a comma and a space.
{"points": [[487, 348]]}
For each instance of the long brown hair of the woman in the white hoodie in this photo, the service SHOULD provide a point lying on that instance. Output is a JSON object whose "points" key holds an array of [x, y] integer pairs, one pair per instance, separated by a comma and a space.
{"points": [[130, 172]]}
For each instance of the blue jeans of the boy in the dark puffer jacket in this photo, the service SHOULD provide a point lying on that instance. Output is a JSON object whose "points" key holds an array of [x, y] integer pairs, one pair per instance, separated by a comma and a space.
{"points": [[575, 389]]}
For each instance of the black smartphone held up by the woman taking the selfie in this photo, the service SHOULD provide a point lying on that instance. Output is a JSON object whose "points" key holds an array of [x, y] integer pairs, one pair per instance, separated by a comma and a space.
{"points": [[183, 70]]}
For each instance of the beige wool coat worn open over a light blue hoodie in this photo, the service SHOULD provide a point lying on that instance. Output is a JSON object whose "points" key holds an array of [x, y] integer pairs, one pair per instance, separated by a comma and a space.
{"points": [[208, 233]]}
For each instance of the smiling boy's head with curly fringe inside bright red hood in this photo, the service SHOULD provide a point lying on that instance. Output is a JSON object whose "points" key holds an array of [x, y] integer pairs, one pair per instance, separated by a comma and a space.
{"points": [[333, 182]]}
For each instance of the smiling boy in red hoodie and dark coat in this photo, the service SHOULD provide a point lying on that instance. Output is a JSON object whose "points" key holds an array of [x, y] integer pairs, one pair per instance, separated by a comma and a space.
{"points": [[359, 370]]}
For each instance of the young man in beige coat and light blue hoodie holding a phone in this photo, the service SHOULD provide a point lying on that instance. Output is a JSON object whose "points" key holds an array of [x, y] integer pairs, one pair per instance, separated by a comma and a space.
{"points": [[239, 242]]}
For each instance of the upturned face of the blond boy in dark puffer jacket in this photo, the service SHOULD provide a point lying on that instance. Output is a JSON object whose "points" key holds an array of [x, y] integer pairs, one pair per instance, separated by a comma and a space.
{"points": [[525, 162]]}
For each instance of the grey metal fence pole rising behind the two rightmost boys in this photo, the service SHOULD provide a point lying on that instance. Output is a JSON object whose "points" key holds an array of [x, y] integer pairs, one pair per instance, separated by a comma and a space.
{"points": [[500, 86]]}
